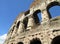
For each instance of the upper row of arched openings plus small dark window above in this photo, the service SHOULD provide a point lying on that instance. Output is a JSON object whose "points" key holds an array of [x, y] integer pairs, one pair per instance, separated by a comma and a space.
{"points": [[53, 10]]}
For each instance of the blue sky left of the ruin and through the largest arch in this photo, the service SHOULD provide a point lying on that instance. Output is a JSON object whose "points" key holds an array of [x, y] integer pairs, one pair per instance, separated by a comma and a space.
{"points": [[9, 10]]}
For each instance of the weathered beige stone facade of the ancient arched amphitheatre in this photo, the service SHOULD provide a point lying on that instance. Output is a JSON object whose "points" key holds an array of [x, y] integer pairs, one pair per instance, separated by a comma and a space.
{"points": [[27, 29]]}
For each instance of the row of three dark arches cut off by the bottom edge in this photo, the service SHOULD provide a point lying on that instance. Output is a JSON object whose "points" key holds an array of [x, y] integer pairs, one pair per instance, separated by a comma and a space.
{"points": [[56, 40]]}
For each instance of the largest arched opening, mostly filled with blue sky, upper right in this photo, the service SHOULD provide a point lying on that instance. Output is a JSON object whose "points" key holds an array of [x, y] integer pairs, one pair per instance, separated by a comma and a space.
{"points": [[53, 9]]}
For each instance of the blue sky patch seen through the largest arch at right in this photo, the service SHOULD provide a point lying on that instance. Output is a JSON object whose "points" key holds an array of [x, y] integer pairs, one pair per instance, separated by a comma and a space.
{"points": [[55, 11]]}
